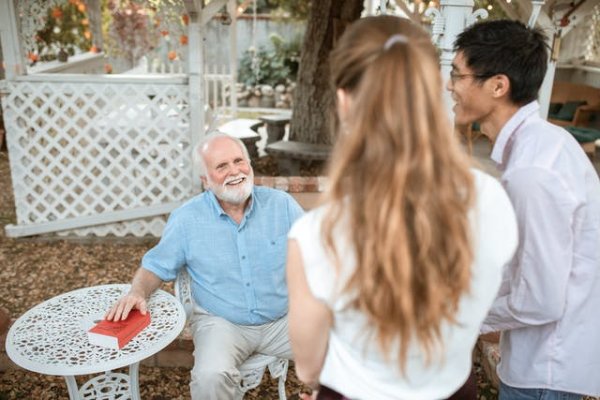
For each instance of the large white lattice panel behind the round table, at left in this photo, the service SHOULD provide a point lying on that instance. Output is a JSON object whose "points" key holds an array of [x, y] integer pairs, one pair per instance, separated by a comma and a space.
{"points": [[82, 149]]}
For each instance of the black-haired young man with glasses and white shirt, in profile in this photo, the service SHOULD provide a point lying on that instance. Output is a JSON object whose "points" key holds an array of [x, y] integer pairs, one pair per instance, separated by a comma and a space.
{"points": [[548, 307]]}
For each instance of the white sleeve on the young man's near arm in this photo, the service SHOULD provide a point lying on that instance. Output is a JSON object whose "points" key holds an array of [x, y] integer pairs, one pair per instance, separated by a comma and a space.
{"points": [[535, 281]]}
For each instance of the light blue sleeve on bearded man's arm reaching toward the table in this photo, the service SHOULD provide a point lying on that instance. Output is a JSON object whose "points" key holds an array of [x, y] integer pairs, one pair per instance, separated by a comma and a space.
{"points": [[165, 259]]}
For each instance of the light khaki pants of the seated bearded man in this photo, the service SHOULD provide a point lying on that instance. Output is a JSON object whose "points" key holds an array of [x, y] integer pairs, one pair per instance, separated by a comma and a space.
{"points": [[220, 347]]}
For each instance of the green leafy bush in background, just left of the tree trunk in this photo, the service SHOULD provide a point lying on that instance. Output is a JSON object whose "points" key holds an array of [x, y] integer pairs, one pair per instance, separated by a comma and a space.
{"points": [[270, 66]]}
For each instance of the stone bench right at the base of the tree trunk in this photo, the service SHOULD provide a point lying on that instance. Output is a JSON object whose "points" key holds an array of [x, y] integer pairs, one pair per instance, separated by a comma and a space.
{"points": [[289, 154]]}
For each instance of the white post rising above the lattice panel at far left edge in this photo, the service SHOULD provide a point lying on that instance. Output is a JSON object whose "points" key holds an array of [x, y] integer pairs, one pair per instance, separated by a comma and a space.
{"points": [[14, 59]]}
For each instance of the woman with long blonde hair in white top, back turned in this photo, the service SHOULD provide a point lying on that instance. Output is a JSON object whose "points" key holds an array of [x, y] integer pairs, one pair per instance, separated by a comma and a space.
{"points": [[390, 279]]}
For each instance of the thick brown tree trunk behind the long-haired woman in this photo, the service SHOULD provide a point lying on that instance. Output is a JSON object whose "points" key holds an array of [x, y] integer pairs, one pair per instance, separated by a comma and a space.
{"points": [[313, 97]]}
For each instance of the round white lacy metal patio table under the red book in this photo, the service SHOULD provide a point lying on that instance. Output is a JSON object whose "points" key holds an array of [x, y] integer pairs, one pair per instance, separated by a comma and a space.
{"points": [[51, 339]]}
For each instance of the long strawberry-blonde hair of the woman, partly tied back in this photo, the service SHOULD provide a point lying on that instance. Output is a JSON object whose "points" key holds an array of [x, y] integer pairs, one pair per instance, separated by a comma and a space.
{"points": [[401, 180]]}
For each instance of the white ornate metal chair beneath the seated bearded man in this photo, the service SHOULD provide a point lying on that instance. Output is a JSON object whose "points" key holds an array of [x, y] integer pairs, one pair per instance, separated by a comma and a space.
{"points": [[253, 368]]}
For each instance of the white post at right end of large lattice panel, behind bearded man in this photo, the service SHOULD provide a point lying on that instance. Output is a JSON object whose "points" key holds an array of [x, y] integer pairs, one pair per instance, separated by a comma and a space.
{"points": [[196, 87]]}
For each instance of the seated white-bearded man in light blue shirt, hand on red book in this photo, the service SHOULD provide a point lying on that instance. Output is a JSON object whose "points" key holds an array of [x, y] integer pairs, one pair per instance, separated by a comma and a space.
{"points": [[232, 239]]}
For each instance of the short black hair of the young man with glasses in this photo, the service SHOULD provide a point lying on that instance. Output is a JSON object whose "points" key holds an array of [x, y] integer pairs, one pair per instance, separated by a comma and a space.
{"points": [[509, 48]]}
